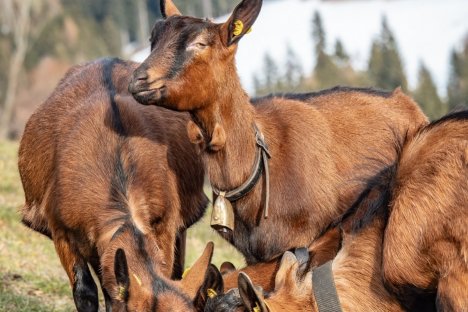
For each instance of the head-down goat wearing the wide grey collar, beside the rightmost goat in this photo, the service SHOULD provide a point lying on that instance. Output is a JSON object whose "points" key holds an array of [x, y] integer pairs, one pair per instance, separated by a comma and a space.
{"points": [[357, 269]]}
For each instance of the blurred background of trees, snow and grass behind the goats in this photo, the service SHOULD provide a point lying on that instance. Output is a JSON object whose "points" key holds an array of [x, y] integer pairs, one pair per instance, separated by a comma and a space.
{"points": [[295, 46]]}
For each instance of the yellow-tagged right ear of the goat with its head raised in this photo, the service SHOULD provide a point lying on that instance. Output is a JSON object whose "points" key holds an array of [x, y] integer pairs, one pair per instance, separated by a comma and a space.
{"points": [[241, 21]]}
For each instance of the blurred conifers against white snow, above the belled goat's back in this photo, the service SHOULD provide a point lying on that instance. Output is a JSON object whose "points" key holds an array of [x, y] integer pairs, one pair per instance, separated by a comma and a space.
{"points": [[385, 70]]}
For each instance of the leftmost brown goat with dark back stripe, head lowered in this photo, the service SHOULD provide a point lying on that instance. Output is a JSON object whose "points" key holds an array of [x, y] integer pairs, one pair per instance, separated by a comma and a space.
{"points": [[103, 174]]}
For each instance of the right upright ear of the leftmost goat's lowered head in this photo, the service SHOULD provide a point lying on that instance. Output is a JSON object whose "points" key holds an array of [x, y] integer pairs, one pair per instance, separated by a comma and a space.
{"points": [[195, 276]]}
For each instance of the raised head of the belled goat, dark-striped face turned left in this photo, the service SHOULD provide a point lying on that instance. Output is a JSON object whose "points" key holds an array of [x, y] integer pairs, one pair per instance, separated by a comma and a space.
{"points": [[192, 59]]}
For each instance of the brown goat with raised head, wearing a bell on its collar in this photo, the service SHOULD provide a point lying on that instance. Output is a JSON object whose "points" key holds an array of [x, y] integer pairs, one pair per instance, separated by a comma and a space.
{"points": [[320, 143]]}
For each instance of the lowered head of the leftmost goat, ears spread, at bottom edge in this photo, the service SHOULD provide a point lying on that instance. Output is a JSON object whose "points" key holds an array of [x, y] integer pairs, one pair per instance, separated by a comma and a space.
{"points": [[150, 291]]}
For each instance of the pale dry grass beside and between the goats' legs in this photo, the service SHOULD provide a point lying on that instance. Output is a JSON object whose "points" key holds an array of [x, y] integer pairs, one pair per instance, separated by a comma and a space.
{"points": [[31, 277]]}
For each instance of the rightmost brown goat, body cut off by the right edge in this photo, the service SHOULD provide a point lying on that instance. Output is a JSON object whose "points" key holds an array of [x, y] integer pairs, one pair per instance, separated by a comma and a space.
{"points": [[426, 239]]}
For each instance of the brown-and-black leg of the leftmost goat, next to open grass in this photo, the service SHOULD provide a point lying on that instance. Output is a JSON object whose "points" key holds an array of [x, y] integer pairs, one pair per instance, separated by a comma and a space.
{"points": [[85, 292]]}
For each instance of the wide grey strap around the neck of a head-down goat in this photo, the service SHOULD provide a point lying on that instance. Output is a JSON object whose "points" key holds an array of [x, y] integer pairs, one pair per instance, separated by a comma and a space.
{"points": [[325, 293]]}
